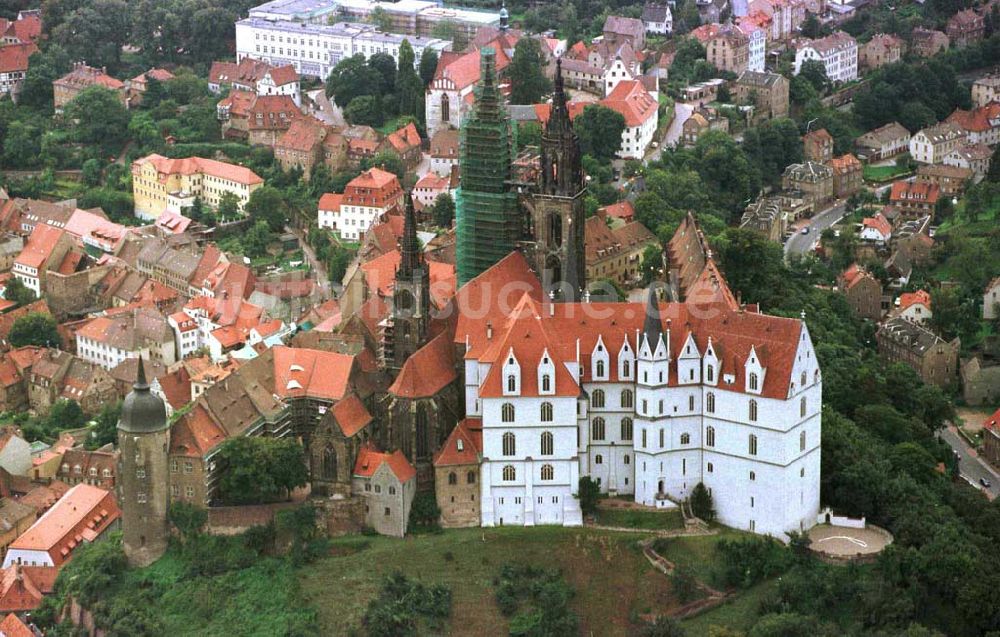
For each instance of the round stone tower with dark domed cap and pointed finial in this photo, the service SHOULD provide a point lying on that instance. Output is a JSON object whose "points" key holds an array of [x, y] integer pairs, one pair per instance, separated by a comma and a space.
{"points": [[143, 440]]}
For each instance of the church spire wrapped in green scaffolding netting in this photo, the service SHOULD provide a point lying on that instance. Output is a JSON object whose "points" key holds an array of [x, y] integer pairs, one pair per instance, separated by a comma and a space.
{"points": [[487, 219]]}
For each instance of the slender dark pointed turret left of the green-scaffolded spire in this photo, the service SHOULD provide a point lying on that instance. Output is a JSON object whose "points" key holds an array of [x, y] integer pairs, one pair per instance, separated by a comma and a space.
{"points": [[410, 295]]}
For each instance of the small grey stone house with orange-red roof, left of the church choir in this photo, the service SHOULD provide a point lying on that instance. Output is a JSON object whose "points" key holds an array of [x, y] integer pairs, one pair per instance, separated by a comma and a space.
{"points": [[387, 483]]}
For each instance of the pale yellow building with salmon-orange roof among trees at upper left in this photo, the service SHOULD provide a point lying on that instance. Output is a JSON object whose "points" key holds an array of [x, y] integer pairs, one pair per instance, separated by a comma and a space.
{"points": [[160, 184]]}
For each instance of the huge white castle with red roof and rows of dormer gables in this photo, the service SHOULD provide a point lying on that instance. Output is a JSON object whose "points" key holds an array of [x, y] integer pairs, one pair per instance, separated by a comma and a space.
{"points": [[648, 401]]}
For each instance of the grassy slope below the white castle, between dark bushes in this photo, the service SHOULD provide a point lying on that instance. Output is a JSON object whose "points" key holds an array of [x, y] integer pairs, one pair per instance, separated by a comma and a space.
{"points": [[611, 577]]}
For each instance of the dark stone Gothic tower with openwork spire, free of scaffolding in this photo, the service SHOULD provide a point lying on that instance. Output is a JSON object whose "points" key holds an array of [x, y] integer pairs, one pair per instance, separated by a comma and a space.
{"points": [[557, 215]]}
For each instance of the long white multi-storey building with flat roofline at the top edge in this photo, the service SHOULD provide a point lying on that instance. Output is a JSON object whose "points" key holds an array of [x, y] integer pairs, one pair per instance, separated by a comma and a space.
{"points": [[314, 49]]}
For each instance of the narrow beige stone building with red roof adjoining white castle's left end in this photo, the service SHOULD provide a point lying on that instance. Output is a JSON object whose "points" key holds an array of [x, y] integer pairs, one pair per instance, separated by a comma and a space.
{"points": [[456, 475]]}
